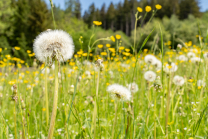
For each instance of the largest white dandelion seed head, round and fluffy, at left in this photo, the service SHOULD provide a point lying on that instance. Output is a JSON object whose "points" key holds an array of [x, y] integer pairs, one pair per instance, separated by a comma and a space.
{"points": [[53, 43]]}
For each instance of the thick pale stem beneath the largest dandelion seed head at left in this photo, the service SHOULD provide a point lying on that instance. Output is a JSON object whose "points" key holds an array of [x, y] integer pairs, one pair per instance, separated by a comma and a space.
{"points": [[55, 102]]}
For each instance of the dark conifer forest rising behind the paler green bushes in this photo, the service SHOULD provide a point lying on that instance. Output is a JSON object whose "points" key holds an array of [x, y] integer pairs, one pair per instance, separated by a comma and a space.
{"points": [[121, 16]]}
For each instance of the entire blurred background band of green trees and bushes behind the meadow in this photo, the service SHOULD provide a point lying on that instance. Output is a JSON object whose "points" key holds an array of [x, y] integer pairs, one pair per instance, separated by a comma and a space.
{"points": [[22, 20]]}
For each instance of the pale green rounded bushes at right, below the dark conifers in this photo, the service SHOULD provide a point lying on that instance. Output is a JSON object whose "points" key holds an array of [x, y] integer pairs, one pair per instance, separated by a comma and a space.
{"points": [[173, 29]]}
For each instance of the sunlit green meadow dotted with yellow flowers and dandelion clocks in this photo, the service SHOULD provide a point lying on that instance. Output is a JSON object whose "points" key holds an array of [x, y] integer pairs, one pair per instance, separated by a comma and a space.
{"points": [[119, 93]]}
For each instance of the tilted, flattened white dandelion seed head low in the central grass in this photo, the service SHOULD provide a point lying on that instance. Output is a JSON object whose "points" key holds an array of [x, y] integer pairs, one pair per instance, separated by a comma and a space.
{"points": [[120, 92]]}
